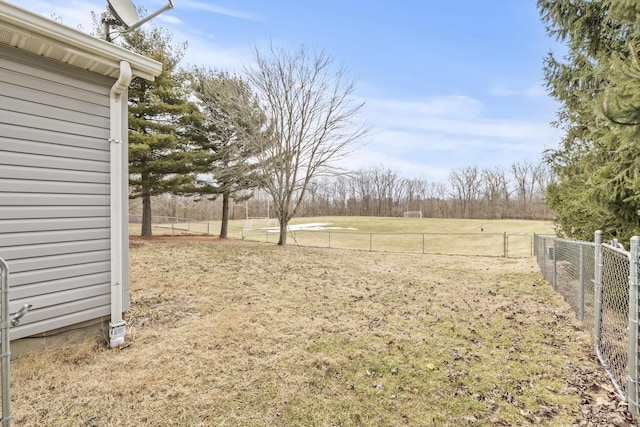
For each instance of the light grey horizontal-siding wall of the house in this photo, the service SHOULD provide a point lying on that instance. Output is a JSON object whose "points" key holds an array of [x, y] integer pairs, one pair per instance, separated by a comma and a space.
{"points": [[55, 191]]}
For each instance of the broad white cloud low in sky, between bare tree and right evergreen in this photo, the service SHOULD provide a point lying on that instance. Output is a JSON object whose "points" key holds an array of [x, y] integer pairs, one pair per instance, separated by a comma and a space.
{"points": [[434, 136]]}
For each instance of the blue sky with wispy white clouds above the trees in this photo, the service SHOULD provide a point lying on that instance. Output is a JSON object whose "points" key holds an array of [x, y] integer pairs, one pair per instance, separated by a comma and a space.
{"points": [[447, 84]]}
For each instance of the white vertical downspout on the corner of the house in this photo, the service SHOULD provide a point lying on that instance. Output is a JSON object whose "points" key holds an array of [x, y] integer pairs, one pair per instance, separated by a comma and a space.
{"points": [[117, 324]]}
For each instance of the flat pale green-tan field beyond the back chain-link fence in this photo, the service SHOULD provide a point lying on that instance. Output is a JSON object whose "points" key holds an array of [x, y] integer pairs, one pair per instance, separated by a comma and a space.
{"points": [[409, 235]]}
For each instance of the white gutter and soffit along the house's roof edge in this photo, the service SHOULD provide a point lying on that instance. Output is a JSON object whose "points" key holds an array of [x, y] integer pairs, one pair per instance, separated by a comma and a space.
{"points": [[43, 37]]}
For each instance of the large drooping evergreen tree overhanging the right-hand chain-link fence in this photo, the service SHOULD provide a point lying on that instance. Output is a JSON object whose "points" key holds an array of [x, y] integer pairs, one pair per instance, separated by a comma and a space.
{"points": [[595, 165]]}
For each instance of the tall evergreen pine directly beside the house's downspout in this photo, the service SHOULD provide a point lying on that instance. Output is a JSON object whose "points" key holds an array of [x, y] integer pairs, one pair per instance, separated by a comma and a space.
{"points": [[164, 156]]}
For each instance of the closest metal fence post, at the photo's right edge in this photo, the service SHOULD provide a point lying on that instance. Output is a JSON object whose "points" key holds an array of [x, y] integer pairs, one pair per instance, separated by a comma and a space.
{"points": [[632, 355]]}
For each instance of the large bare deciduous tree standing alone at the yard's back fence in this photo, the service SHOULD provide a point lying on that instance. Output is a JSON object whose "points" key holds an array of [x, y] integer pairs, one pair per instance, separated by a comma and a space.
{"points": [[310, 113]]}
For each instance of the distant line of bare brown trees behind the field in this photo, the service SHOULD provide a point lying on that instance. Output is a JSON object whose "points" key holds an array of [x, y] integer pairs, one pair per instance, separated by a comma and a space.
{"points": [[470, 192]]}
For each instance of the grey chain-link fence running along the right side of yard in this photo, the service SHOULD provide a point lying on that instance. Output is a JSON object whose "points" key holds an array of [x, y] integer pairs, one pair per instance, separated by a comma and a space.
{"points": [[599, 280]]}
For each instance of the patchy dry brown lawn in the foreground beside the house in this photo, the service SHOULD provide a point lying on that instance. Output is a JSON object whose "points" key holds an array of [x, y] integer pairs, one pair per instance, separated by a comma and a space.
{"points": [[249, 334]]}
